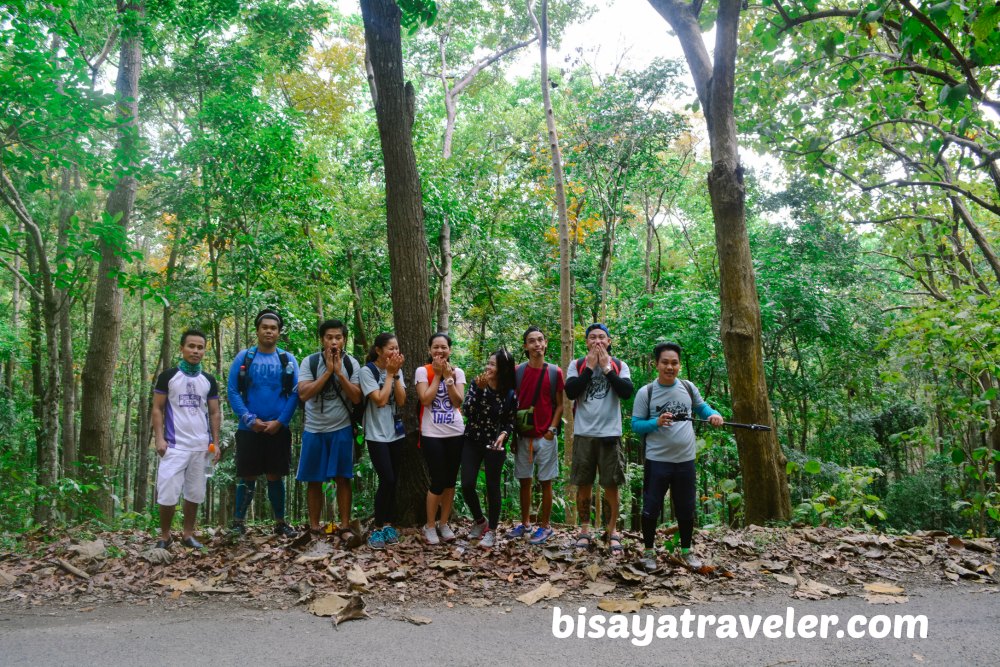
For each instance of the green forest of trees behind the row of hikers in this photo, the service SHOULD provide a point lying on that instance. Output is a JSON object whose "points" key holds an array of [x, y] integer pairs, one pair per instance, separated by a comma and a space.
{"points": [[808, 200]]}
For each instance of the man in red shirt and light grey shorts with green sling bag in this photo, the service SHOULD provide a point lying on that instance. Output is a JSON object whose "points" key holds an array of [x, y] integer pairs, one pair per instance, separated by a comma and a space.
{"points": [[539, 385]]}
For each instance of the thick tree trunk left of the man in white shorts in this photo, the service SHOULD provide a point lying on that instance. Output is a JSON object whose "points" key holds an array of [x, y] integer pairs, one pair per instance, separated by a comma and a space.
{"points": [[96, 417]]}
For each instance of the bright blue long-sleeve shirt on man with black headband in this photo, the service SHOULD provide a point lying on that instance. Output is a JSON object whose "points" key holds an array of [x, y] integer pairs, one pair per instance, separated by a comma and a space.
{"points": [[264, 397]]}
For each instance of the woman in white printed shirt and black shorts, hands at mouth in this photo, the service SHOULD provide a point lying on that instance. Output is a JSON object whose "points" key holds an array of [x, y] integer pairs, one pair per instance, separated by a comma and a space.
{"points": [[441, 390]]}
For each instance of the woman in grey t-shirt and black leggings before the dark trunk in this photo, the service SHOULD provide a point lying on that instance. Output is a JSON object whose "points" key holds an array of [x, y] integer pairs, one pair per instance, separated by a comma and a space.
{"points": [[384, 391]]}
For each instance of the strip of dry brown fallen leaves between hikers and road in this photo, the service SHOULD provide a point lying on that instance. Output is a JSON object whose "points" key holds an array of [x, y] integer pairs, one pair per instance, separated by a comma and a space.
{"points": [[80, 567]]}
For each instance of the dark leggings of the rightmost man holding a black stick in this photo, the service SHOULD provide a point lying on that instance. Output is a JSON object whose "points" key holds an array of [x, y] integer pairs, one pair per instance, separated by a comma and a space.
{"points": [[680, 478]]}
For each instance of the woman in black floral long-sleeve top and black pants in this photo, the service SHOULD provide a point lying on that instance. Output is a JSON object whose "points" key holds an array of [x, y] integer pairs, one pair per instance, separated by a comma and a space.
{"points": [[490, 409]]}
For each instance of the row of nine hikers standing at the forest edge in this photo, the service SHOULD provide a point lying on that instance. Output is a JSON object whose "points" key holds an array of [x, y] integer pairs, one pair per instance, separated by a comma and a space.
{"points": [[464, 427]]}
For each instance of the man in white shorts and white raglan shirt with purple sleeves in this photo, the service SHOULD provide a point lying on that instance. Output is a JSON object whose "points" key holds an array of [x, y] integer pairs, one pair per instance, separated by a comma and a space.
{"points": [[186, 420]]}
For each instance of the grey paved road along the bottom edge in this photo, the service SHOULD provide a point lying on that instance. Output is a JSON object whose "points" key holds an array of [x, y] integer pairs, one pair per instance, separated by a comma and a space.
{"points": [[962, 630]]}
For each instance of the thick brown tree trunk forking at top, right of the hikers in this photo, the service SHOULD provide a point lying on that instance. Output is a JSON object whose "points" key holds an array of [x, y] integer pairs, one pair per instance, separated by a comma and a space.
{"points": [[762, 463]]}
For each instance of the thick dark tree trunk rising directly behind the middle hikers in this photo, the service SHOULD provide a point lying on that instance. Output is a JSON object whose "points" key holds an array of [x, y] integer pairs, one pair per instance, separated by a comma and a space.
{"points": [[408, 257]]}
